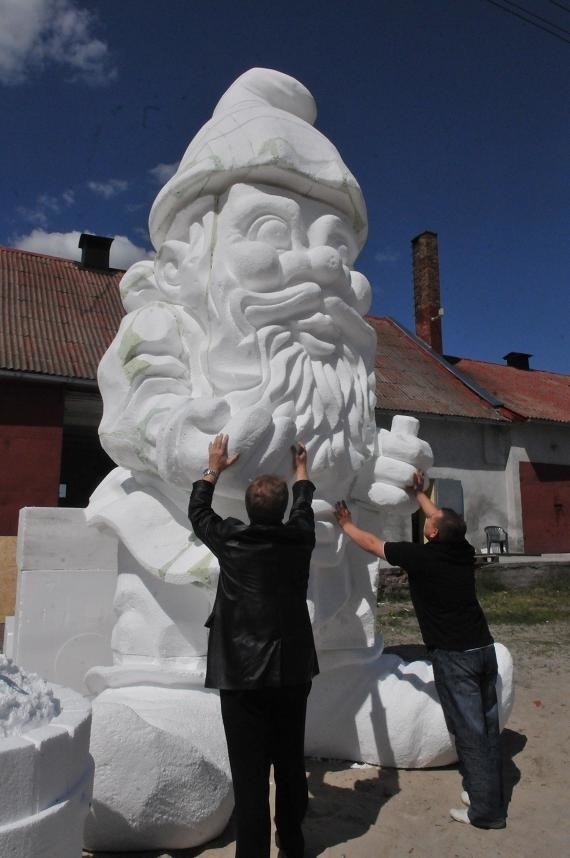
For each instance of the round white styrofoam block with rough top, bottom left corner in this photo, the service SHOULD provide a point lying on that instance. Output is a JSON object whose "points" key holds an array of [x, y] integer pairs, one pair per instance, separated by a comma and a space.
{"points": [[46, 771]]}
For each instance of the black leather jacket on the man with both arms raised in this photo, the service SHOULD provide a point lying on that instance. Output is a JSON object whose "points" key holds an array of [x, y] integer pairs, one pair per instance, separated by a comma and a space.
{"points": [[260, 631]]}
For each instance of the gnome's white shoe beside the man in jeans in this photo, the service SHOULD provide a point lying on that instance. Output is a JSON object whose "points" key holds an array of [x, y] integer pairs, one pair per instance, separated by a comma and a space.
{"points": [[387, 712]]}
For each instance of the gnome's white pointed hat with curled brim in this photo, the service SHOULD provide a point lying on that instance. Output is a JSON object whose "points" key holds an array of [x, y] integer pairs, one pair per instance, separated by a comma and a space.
{"points": [[261, 131]]}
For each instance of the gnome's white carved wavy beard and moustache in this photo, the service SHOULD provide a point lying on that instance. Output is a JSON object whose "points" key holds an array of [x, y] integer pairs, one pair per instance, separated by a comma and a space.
{"points": [[303, 356]]}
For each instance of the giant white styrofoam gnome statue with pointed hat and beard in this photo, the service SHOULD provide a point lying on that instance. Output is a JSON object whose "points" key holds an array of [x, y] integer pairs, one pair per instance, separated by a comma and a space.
{"points": [[250, 321]]}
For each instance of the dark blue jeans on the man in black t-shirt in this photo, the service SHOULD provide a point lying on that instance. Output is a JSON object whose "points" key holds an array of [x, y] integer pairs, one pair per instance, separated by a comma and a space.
{"points": [[465, 682]]}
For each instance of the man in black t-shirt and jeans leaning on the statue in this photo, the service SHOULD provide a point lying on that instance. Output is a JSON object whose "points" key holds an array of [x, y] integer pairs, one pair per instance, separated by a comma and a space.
{"points": [[441, 575]]}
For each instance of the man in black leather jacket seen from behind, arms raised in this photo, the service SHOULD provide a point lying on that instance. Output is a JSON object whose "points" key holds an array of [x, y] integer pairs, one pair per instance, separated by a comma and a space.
{"points": [[261, 652]]}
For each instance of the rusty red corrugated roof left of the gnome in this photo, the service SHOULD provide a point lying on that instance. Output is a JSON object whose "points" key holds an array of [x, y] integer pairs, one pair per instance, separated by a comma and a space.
{"points": [[57, 317]]}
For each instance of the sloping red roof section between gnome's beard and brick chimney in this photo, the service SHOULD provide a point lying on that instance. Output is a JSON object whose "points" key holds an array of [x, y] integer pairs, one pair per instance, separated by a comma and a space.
{"points": [[411, 377]]}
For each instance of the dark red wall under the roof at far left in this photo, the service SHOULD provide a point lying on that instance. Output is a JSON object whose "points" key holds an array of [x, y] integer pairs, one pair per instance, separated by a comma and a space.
{"points": [[31, 418]]}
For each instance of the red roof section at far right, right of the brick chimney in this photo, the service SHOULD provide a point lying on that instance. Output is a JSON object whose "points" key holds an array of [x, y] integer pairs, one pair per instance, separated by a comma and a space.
{"points": [[533, 394]]}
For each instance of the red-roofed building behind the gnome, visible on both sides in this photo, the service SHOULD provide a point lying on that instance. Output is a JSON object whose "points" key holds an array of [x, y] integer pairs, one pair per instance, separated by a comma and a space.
{"points": [[500, 433]]}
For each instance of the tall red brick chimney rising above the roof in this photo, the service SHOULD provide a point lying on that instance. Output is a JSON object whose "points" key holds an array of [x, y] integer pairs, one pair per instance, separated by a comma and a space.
{"points": [[427, 309]]}
